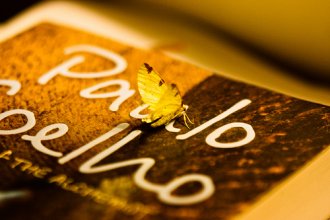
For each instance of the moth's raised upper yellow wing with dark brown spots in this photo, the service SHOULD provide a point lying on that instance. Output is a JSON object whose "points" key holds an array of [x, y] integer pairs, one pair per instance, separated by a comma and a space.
{"points": [[151, 86]]}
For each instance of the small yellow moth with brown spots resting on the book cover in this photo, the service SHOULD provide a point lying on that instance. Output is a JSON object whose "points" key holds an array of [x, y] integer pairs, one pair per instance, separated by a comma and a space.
{"points": [[164, 99]]}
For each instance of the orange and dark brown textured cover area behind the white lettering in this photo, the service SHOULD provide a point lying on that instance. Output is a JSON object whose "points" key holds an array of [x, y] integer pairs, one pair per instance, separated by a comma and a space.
{"points": [[288, 133]]}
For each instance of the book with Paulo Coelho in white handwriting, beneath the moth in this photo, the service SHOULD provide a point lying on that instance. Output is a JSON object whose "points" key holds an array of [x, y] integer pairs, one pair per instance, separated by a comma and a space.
{"points": [[73, 145]]}
